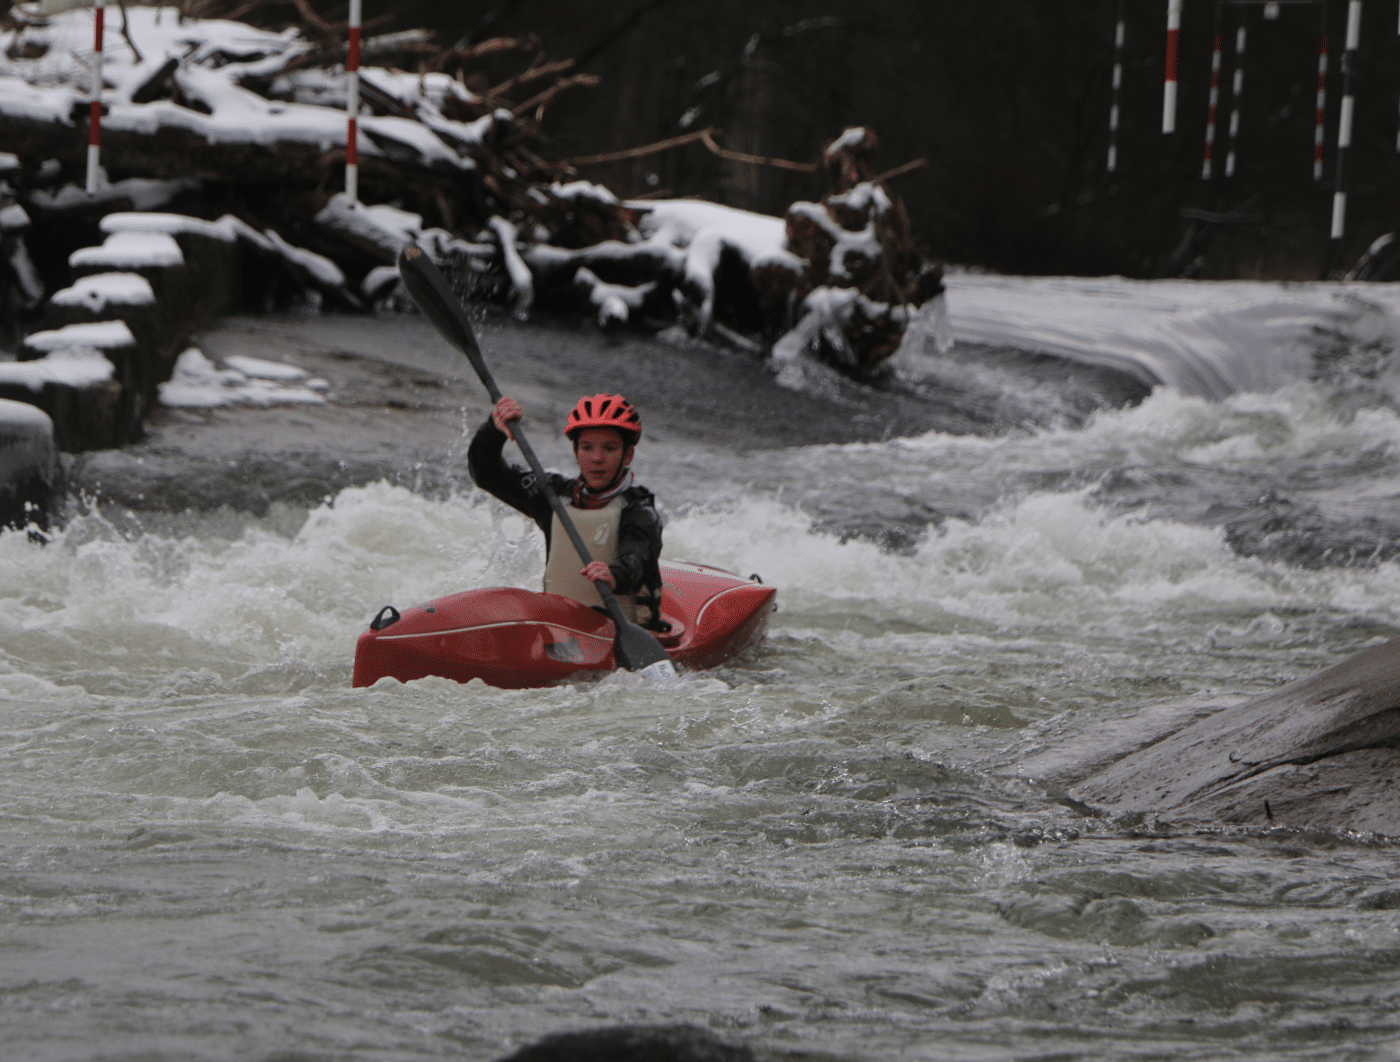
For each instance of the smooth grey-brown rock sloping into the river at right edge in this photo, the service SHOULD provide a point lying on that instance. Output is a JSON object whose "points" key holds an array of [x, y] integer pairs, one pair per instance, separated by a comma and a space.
{"points": [[1318, 753]]}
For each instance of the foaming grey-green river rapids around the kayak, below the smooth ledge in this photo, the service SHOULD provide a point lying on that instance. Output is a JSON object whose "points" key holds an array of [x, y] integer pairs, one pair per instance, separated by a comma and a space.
{"points": [[213, 849]]}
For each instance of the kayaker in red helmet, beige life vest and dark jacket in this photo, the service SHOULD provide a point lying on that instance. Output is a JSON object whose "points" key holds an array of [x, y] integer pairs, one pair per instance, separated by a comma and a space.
{"points": [[615, 516]]}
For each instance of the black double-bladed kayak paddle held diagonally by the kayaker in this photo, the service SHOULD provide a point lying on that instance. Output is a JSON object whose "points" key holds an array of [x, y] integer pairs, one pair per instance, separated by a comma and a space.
{"points": [[635, 649]]}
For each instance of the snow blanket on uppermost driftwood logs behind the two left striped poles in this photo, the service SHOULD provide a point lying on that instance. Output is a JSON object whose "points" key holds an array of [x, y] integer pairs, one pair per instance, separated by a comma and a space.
{"points": [[205, 68]]}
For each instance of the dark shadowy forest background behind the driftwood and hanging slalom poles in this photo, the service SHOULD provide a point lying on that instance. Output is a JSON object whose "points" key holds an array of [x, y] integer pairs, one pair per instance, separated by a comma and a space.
{"points": [[1007, 100]]}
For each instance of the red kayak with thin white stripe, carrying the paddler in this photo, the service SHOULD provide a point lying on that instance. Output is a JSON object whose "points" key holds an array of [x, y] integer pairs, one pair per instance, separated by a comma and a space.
{"points": [[519, 639]]}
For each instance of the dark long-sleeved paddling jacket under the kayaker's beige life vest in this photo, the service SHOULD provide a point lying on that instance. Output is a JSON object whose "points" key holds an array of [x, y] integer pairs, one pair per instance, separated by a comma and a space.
{"points": [[639, 528]]}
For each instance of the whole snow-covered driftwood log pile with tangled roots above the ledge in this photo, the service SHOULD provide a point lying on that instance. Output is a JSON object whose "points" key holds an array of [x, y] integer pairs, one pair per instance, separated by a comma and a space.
{"points": [[187, 100]]}
